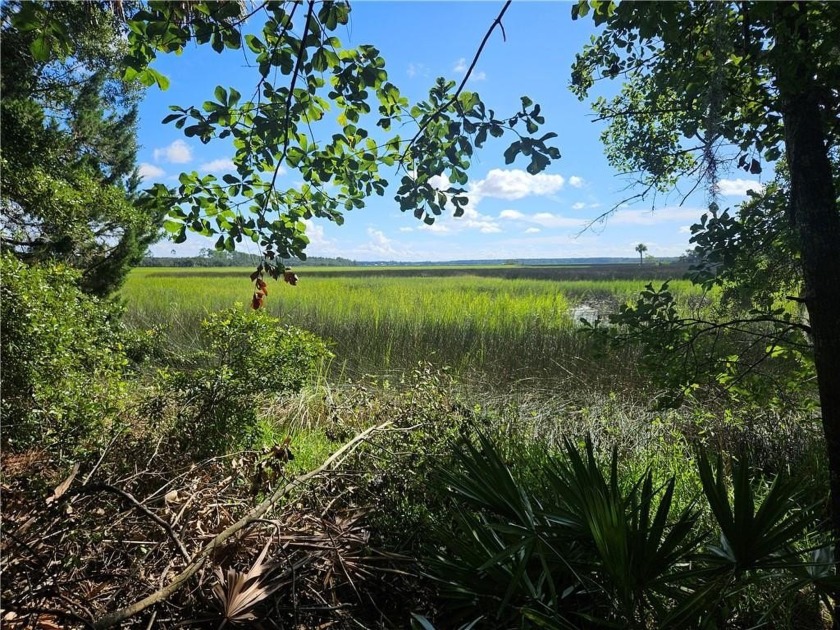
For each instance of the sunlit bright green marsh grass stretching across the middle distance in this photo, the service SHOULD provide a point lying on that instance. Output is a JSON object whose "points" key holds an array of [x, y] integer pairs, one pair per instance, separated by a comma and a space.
{"points": [[494, 328]]}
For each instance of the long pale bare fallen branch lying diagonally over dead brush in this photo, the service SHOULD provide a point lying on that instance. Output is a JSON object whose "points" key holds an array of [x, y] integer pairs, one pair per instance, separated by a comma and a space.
{"points": [[111, 619]]}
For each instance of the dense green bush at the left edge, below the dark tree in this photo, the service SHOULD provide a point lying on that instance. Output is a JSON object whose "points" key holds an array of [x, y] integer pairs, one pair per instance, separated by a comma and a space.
{"points": [[63, 362]]}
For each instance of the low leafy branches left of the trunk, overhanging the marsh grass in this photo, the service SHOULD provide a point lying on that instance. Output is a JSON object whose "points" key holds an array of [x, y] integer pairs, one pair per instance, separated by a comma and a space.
{"points": [[754, 357]]}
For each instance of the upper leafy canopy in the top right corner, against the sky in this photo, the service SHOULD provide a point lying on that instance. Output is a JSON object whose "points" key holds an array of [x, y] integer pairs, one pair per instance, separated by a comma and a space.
{"points": [[694, 73]]}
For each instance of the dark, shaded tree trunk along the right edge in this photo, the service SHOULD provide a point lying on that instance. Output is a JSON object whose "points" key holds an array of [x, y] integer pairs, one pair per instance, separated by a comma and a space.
{"points": [[814, 213]]}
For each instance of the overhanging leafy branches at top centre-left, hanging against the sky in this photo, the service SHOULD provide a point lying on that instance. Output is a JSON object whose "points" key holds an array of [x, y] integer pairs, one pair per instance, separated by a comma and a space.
{"points": [[305, 78]]}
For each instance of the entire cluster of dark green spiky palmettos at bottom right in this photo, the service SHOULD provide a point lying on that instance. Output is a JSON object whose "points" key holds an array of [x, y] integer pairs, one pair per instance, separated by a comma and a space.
{"points": [[593, 549]]}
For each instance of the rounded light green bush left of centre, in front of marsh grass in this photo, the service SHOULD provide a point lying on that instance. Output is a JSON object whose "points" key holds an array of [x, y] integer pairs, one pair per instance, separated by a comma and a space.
{"points": [[249, 357]]}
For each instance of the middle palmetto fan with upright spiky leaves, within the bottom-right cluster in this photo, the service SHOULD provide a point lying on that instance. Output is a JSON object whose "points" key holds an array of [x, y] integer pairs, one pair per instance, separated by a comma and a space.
{"points": [[635, 547]]}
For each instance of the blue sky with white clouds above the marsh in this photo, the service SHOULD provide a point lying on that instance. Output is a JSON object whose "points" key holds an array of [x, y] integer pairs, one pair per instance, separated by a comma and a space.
{"points": [[511, 214]]}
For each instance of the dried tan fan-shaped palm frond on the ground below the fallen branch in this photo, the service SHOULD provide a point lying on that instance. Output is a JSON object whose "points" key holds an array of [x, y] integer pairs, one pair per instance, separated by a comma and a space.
{"points": [[238, 593]]}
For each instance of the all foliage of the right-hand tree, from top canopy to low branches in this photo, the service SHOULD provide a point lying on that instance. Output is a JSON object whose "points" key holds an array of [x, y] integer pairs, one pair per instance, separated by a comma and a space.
{"points": [[693, 74]]}
